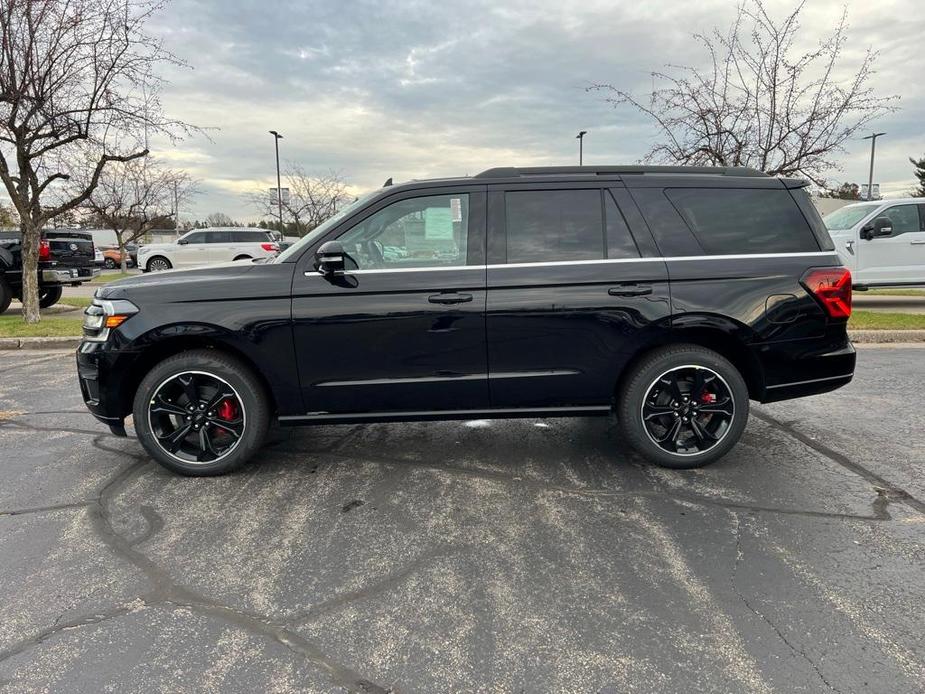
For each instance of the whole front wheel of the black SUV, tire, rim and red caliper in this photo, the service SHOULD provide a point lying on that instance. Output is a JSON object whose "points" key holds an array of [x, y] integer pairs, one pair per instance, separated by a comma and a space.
{"points": [[162, 402]]}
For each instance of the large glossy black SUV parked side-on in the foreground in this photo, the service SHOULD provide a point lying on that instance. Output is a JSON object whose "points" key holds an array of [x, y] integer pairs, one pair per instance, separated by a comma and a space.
{"points": [[667, 296]]}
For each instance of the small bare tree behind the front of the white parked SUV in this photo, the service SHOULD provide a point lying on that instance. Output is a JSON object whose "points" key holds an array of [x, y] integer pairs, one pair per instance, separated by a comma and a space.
{"points": [[137, 196]]}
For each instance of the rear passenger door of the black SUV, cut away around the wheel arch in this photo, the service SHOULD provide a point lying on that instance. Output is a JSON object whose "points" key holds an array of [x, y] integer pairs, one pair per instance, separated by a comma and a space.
{"points": [[570, 295]]}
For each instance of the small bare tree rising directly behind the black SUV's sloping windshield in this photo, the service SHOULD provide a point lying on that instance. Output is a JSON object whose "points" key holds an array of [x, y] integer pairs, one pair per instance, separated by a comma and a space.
{"points": [[312, 199]]}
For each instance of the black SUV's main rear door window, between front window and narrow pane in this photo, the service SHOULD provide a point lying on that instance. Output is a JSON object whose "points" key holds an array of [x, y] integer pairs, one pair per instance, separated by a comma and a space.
{"points": [[554, 225]]}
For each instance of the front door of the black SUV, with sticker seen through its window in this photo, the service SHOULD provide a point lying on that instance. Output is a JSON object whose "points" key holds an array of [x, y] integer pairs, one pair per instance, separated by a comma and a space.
{"points": [[402, 328]]}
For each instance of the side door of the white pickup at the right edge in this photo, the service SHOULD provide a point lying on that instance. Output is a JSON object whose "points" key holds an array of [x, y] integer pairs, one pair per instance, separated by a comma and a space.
{"points": [[900, 257]]}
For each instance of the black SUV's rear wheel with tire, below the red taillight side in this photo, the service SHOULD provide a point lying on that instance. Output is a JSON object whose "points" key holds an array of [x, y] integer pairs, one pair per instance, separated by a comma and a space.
{"points": [[700, 420]]}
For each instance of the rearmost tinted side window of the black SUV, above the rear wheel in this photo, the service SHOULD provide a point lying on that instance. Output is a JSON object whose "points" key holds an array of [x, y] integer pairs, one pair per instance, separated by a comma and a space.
{"points": [[729, 221]]}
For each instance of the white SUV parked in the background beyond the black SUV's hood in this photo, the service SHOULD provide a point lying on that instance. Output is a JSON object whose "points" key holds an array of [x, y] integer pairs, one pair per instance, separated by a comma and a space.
{"points": [[208, 247]]}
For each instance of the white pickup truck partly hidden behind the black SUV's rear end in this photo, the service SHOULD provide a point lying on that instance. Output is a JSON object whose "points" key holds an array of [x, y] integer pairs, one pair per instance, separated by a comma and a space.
{"points": [[882, 242]]}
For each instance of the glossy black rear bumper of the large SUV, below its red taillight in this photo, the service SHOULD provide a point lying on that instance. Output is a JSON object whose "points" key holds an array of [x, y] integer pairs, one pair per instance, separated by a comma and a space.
{"points": [[800, 368]]}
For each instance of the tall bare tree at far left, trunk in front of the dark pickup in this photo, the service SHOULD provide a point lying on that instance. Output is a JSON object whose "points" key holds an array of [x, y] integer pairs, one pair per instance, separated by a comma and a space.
{"points": [[77, 93]]}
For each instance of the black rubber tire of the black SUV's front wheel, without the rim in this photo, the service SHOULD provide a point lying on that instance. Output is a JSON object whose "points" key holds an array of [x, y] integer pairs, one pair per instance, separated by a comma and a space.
{"points": [[238, 376]]}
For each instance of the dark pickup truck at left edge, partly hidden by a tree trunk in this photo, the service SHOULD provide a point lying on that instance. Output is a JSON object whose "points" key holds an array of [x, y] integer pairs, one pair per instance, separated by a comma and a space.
{"points": [[65, 257]]}
